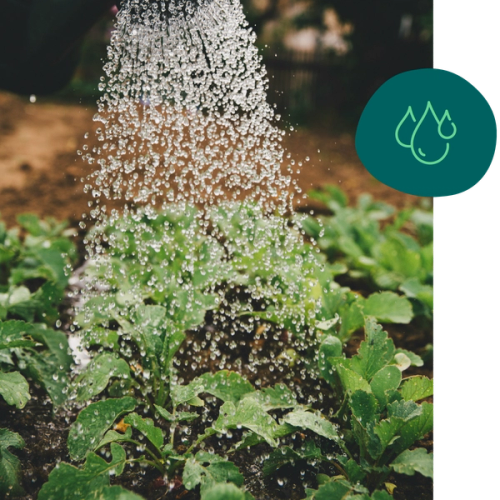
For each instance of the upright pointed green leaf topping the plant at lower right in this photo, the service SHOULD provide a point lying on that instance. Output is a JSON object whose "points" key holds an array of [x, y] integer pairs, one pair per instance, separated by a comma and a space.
{"points": [[375, 352]]}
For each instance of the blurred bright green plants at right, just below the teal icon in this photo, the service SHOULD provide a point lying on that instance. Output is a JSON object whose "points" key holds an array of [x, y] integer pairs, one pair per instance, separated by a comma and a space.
{"points": [[389, 258]]}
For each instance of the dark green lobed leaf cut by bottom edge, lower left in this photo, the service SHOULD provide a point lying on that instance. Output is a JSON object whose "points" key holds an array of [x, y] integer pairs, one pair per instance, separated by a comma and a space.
{"points": [[69, 483]]}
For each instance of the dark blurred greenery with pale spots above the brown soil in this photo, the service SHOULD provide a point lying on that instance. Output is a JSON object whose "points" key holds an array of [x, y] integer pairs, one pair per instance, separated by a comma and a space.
{"points": [[325, 58]]}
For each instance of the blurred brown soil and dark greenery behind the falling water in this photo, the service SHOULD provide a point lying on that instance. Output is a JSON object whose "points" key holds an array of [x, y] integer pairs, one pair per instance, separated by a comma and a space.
{"points": [[324, 58]]}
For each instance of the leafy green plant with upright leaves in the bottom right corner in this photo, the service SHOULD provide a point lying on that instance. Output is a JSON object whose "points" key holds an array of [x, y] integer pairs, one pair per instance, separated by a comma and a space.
{"points": [[376, 424]]}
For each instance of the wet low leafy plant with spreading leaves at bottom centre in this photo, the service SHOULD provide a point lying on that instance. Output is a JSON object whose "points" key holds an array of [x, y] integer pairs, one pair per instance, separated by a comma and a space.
{"points": [[243, 407]]}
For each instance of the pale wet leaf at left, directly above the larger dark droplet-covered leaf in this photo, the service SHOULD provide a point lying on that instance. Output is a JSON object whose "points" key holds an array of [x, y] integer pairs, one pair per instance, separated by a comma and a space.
{"points": [[98, 373]]}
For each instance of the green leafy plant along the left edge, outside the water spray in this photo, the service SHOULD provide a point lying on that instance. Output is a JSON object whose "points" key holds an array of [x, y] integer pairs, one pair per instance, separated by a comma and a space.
{"points": [[32, 282]]}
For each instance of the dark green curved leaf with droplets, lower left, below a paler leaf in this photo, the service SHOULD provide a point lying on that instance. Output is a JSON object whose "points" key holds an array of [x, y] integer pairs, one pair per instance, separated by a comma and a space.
{"points": [[91, 424]]}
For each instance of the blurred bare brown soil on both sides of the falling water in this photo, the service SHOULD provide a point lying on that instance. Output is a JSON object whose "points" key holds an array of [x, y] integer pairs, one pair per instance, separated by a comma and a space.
{"points": [[41, 172]]}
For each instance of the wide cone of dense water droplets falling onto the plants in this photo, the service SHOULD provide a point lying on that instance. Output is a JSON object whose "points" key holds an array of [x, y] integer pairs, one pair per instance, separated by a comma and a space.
{"points": [[187, 183]]}
